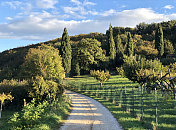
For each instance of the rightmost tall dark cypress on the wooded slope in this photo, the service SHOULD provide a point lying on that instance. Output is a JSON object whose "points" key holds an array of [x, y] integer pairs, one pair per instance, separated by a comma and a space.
{"points": [[159, 42]]}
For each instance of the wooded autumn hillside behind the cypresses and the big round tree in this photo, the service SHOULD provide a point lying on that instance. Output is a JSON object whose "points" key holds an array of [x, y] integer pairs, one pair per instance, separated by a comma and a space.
{"points": [[143, 36]]}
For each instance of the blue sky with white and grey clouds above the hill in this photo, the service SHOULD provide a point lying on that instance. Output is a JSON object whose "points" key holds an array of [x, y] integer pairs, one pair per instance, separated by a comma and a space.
{"points": [[24, 22]]}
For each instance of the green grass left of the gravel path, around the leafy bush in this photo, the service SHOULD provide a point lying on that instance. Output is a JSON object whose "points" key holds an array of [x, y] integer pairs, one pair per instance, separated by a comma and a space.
{"points": [[50, 120]]}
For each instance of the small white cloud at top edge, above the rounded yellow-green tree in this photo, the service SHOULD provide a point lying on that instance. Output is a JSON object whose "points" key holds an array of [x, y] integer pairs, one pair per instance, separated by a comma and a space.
{"points": [[46, 4]]}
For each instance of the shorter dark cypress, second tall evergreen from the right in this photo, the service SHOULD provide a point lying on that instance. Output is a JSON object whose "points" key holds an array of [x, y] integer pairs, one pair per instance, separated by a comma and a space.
{"points": [[130, 45]]}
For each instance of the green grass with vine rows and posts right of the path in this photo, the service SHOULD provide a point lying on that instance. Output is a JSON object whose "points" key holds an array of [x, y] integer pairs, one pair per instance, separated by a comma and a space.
{"points": [[128, 105]]}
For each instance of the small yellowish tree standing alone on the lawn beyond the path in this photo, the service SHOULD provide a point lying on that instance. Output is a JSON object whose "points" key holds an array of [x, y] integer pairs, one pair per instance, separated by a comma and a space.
{"points": [[100, 76]]}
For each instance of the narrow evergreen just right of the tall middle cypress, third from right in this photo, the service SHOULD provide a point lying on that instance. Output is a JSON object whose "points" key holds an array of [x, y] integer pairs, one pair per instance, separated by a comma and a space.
{"points": [[119, 51]]}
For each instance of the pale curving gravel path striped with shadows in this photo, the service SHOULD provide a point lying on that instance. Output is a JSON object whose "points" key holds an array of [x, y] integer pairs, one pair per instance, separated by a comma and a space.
{"points": [[88, 114]]}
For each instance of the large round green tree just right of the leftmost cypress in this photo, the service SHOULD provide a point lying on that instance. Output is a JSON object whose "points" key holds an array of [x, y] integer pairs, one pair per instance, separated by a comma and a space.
{"points": [[89, 54]]}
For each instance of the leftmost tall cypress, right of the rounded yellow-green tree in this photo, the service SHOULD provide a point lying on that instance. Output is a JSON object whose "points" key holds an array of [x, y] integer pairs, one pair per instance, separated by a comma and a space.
{"points": [[66, 51]]}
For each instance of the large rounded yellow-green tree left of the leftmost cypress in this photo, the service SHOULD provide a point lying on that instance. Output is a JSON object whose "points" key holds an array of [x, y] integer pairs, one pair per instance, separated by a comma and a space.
{"points": [[43, 61]]}
